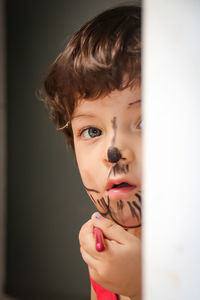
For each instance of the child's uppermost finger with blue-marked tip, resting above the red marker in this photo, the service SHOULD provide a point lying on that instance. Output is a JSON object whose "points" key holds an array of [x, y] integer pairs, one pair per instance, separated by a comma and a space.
{"points": [[110, 229]]}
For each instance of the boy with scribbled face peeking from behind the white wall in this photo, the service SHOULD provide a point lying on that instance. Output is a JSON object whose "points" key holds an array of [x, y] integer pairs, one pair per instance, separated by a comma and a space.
{"points": [[93, 91]]}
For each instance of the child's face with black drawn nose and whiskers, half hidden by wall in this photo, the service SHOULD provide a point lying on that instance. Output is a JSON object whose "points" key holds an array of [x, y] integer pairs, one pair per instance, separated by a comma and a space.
{"points": [[107, 138]]}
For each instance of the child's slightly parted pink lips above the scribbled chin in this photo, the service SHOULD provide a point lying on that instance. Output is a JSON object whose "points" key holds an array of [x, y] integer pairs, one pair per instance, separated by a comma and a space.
{"points": [[119, 188]]}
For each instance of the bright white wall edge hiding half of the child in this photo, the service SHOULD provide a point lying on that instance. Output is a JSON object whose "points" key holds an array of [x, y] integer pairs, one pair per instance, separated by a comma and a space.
{"points": [[172, 149]]}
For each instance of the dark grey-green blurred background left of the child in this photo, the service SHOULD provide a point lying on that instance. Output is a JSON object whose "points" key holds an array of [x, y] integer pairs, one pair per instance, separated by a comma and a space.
{"points": [[43, 204]]}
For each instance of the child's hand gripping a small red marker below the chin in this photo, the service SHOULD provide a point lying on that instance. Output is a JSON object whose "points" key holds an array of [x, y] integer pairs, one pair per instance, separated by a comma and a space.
{"points": [[118, 267]]}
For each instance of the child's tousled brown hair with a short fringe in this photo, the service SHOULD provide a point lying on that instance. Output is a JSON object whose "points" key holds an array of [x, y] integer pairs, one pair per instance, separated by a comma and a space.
{"points": [[104, 55]]}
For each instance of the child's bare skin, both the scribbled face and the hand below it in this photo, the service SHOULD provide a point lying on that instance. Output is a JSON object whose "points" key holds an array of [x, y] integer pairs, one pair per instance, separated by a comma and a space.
{"points": [[99, 126]]}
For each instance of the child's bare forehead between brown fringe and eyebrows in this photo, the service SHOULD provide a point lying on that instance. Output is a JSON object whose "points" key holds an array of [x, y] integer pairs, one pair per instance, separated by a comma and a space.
{"points": [[115, 101]]}
